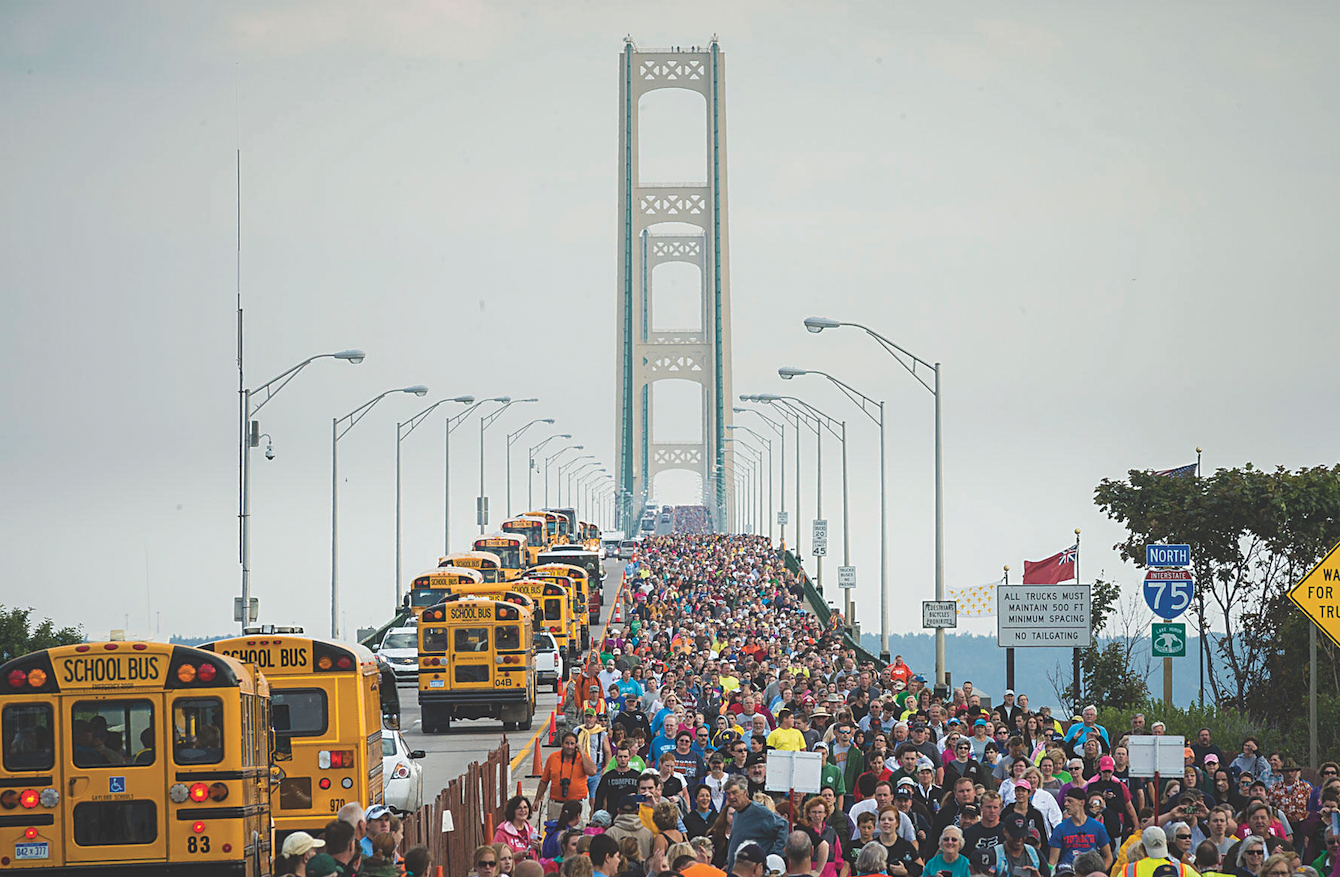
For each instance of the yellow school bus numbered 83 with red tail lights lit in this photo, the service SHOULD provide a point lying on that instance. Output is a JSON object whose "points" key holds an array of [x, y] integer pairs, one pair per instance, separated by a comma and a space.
{"points": [[135, 758]]}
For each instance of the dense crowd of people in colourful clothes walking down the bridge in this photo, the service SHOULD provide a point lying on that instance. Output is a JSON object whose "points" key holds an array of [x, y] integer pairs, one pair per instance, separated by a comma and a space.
{"points": [[664, 762]]}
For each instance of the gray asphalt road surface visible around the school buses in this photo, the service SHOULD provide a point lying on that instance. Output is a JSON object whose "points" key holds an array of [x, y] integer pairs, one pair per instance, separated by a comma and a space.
{"points": [[450, 753]]}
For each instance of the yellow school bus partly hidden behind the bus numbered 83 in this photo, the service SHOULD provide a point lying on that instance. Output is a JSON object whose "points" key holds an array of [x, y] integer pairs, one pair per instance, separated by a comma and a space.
{"points": [[326, 711]]}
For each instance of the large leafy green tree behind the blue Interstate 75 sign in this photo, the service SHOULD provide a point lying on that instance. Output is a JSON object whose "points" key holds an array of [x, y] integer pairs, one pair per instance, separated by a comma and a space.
{"points": [[1254, 536]]}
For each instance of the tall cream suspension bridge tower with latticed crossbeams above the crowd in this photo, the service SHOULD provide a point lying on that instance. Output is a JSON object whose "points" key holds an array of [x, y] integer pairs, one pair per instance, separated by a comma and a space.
{"points": [[647, 356]]}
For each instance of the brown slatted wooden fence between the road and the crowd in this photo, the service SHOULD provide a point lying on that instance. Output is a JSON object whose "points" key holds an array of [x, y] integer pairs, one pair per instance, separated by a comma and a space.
{"points": [[464, 815]]}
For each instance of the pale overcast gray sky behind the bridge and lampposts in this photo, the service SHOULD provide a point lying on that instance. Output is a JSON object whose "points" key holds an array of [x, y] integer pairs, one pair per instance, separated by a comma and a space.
{"points": [[1113, 223]]}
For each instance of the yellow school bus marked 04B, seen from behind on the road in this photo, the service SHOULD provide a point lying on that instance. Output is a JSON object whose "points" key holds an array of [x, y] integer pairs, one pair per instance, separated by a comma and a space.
{"points": [[476, 662]]}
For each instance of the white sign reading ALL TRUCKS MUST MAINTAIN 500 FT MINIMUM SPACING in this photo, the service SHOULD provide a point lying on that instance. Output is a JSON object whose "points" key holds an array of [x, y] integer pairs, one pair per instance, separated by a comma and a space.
{"points": [[1051, 616]]}
